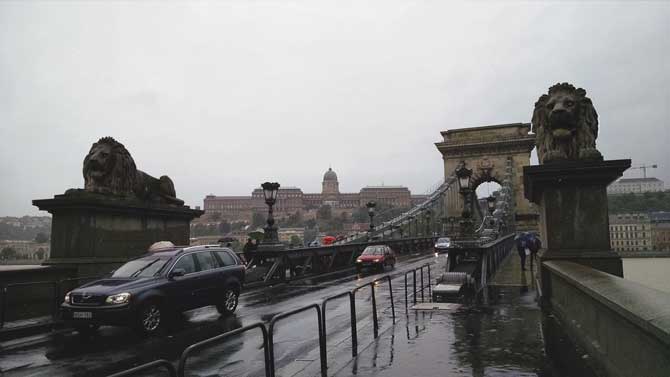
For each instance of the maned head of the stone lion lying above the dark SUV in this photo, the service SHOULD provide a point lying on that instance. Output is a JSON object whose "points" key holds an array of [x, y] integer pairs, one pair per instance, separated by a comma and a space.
{"points": [[109, 168]]}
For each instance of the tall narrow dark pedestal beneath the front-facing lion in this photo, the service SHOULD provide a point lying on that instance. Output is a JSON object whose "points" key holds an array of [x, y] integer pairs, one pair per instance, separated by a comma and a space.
{"points": [[572, 200]]}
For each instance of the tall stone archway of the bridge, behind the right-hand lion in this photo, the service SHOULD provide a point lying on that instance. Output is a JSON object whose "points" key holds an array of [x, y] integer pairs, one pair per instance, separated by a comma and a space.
{"points": [[489, 151]]}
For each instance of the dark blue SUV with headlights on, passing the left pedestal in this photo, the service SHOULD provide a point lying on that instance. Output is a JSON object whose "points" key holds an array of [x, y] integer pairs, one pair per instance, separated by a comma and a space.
{"points": [[147, 292]]}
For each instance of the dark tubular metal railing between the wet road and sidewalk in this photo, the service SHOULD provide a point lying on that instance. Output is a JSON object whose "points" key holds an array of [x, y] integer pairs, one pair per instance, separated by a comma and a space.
{"points": [[268, 334]]}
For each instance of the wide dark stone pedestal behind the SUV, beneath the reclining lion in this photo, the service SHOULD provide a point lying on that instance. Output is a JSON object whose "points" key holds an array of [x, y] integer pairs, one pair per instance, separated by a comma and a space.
{"points": [[95, 233]]}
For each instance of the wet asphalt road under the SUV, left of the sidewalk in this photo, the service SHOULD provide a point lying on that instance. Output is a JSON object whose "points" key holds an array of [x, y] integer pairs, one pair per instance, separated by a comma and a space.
{"points": [[114, 349]]}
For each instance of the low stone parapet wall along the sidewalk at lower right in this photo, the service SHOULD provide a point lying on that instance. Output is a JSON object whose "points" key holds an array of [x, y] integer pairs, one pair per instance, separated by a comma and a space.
{"points": [[624, 326]]}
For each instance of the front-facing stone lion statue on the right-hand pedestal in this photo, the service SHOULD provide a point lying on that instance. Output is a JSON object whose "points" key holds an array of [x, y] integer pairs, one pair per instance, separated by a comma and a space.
{"points": [[566, 125]]}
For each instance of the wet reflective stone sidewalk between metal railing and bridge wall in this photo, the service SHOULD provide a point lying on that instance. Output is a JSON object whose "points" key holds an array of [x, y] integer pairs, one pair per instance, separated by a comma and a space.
{"points": [[501, 338]]}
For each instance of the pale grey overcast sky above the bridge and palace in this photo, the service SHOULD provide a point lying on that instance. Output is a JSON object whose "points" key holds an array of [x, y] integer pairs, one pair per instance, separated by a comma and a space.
{"points": [[222, 96]]}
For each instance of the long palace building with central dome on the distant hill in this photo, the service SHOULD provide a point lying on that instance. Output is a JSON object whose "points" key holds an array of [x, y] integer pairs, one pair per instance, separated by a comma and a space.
{"points": [[292, 199]]}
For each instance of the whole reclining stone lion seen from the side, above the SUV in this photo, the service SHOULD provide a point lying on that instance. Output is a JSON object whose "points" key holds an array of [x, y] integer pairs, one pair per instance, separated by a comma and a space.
{"points": [[109, 169]]}
